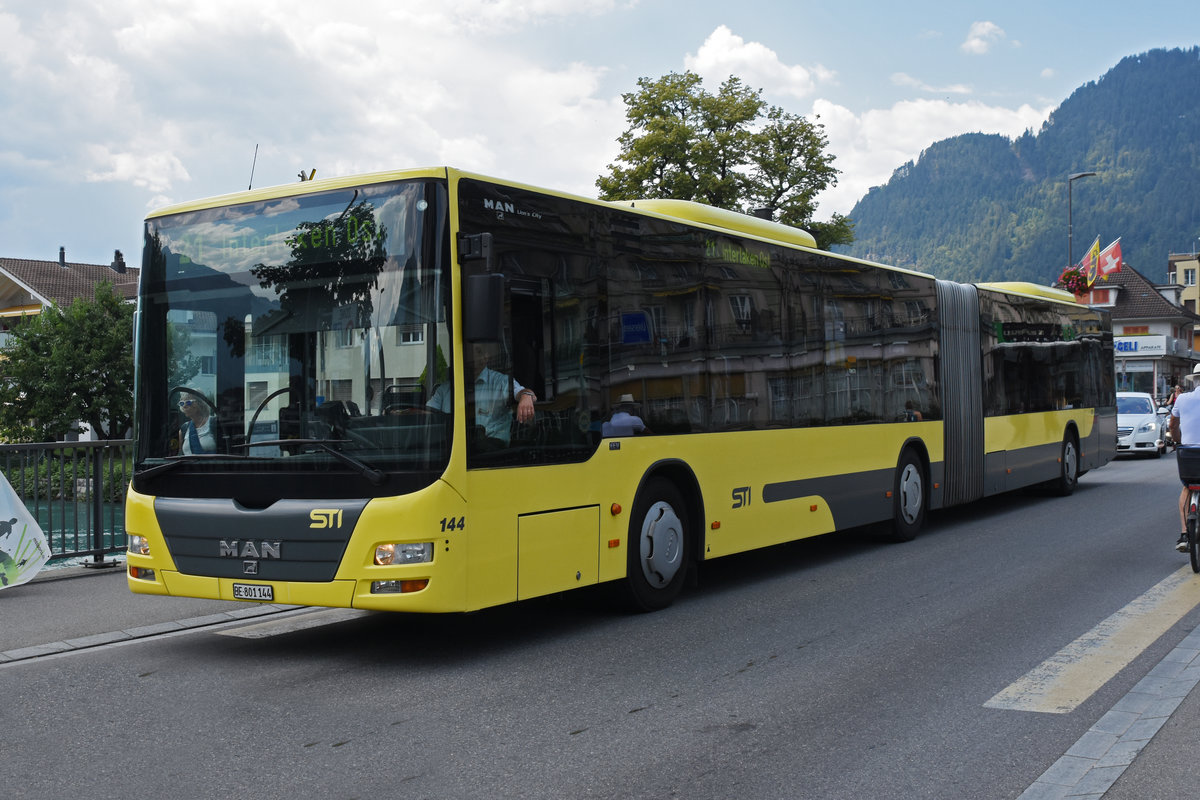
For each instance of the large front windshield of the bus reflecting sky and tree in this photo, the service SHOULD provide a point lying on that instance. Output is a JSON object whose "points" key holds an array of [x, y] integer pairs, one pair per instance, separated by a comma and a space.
{"points": [[298, 335]]}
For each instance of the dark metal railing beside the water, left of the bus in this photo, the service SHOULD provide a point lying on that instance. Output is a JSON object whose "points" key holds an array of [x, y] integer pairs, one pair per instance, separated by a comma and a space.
{"points": [[76, 491]]}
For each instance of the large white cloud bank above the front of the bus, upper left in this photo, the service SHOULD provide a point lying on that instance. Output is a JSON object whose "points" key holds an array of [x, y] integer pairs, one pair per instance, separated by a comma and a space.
{"points": [[379, 89]]}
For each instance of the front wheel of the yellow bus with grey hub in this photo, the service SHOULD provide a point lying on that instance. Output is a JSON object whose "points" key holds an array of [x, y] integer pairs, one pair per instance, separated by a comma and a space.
{"points": [[658, 546]]}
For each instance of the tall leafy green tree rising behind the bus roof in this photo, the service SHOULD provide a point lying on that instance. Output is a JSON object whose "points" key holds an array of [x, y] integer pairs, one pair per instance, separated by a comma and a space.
{"points": [[729, 151]]}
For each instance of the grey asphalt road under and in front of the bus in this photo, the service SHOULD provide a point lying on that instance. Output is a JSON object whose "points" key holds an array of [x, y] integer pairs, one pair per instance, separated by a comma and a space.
{"points": [[841, 667]]}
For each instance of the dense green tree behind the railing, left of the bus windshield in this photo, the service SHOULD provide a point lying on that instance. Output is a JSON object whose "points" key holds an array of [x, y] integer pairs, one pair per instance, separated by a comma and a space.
{"points": [[69, 366]]}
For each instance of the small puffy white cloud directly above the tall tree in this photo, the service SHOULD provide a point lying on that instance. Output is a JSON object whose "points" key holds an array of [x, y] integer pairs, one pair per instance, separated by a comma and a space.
{"points": [[724, 55]]}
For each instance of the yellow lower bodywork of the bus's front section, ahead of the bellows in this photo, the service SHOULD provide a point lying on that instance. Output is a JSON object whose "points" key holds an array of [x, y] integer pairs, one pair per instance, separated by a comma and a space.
{"points": [[575, 531]]}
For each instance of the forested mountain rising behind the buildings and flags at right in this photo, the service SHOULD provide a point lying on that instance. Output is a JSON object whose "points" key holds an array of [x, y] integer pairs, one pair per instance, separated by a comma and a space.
{"points": [[986, 208]]}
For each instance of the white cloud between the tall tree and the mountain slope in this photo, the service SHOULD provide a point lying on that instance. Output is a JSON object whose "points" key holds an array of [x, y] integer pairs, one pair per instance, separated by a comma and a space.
{"points": [[869, 147]]}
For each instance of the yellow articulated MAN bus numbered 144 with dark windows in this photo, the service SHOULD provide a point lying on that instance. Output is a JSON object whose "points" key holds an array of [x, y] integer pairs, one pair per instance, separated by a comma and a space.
{"points": [[434, 392]]}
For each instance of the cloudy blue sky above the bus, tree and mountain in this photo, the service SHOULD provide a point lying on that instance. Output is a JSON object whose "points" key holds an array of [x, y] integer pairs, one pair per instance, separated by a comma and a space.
{"points": [[111, 109]]}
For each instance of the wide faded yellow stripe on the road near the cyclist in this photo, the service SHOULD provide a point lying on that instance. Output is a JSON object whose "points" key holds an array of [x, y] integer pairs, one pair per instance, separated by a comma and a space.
{"points": [[1073, 675]]}
